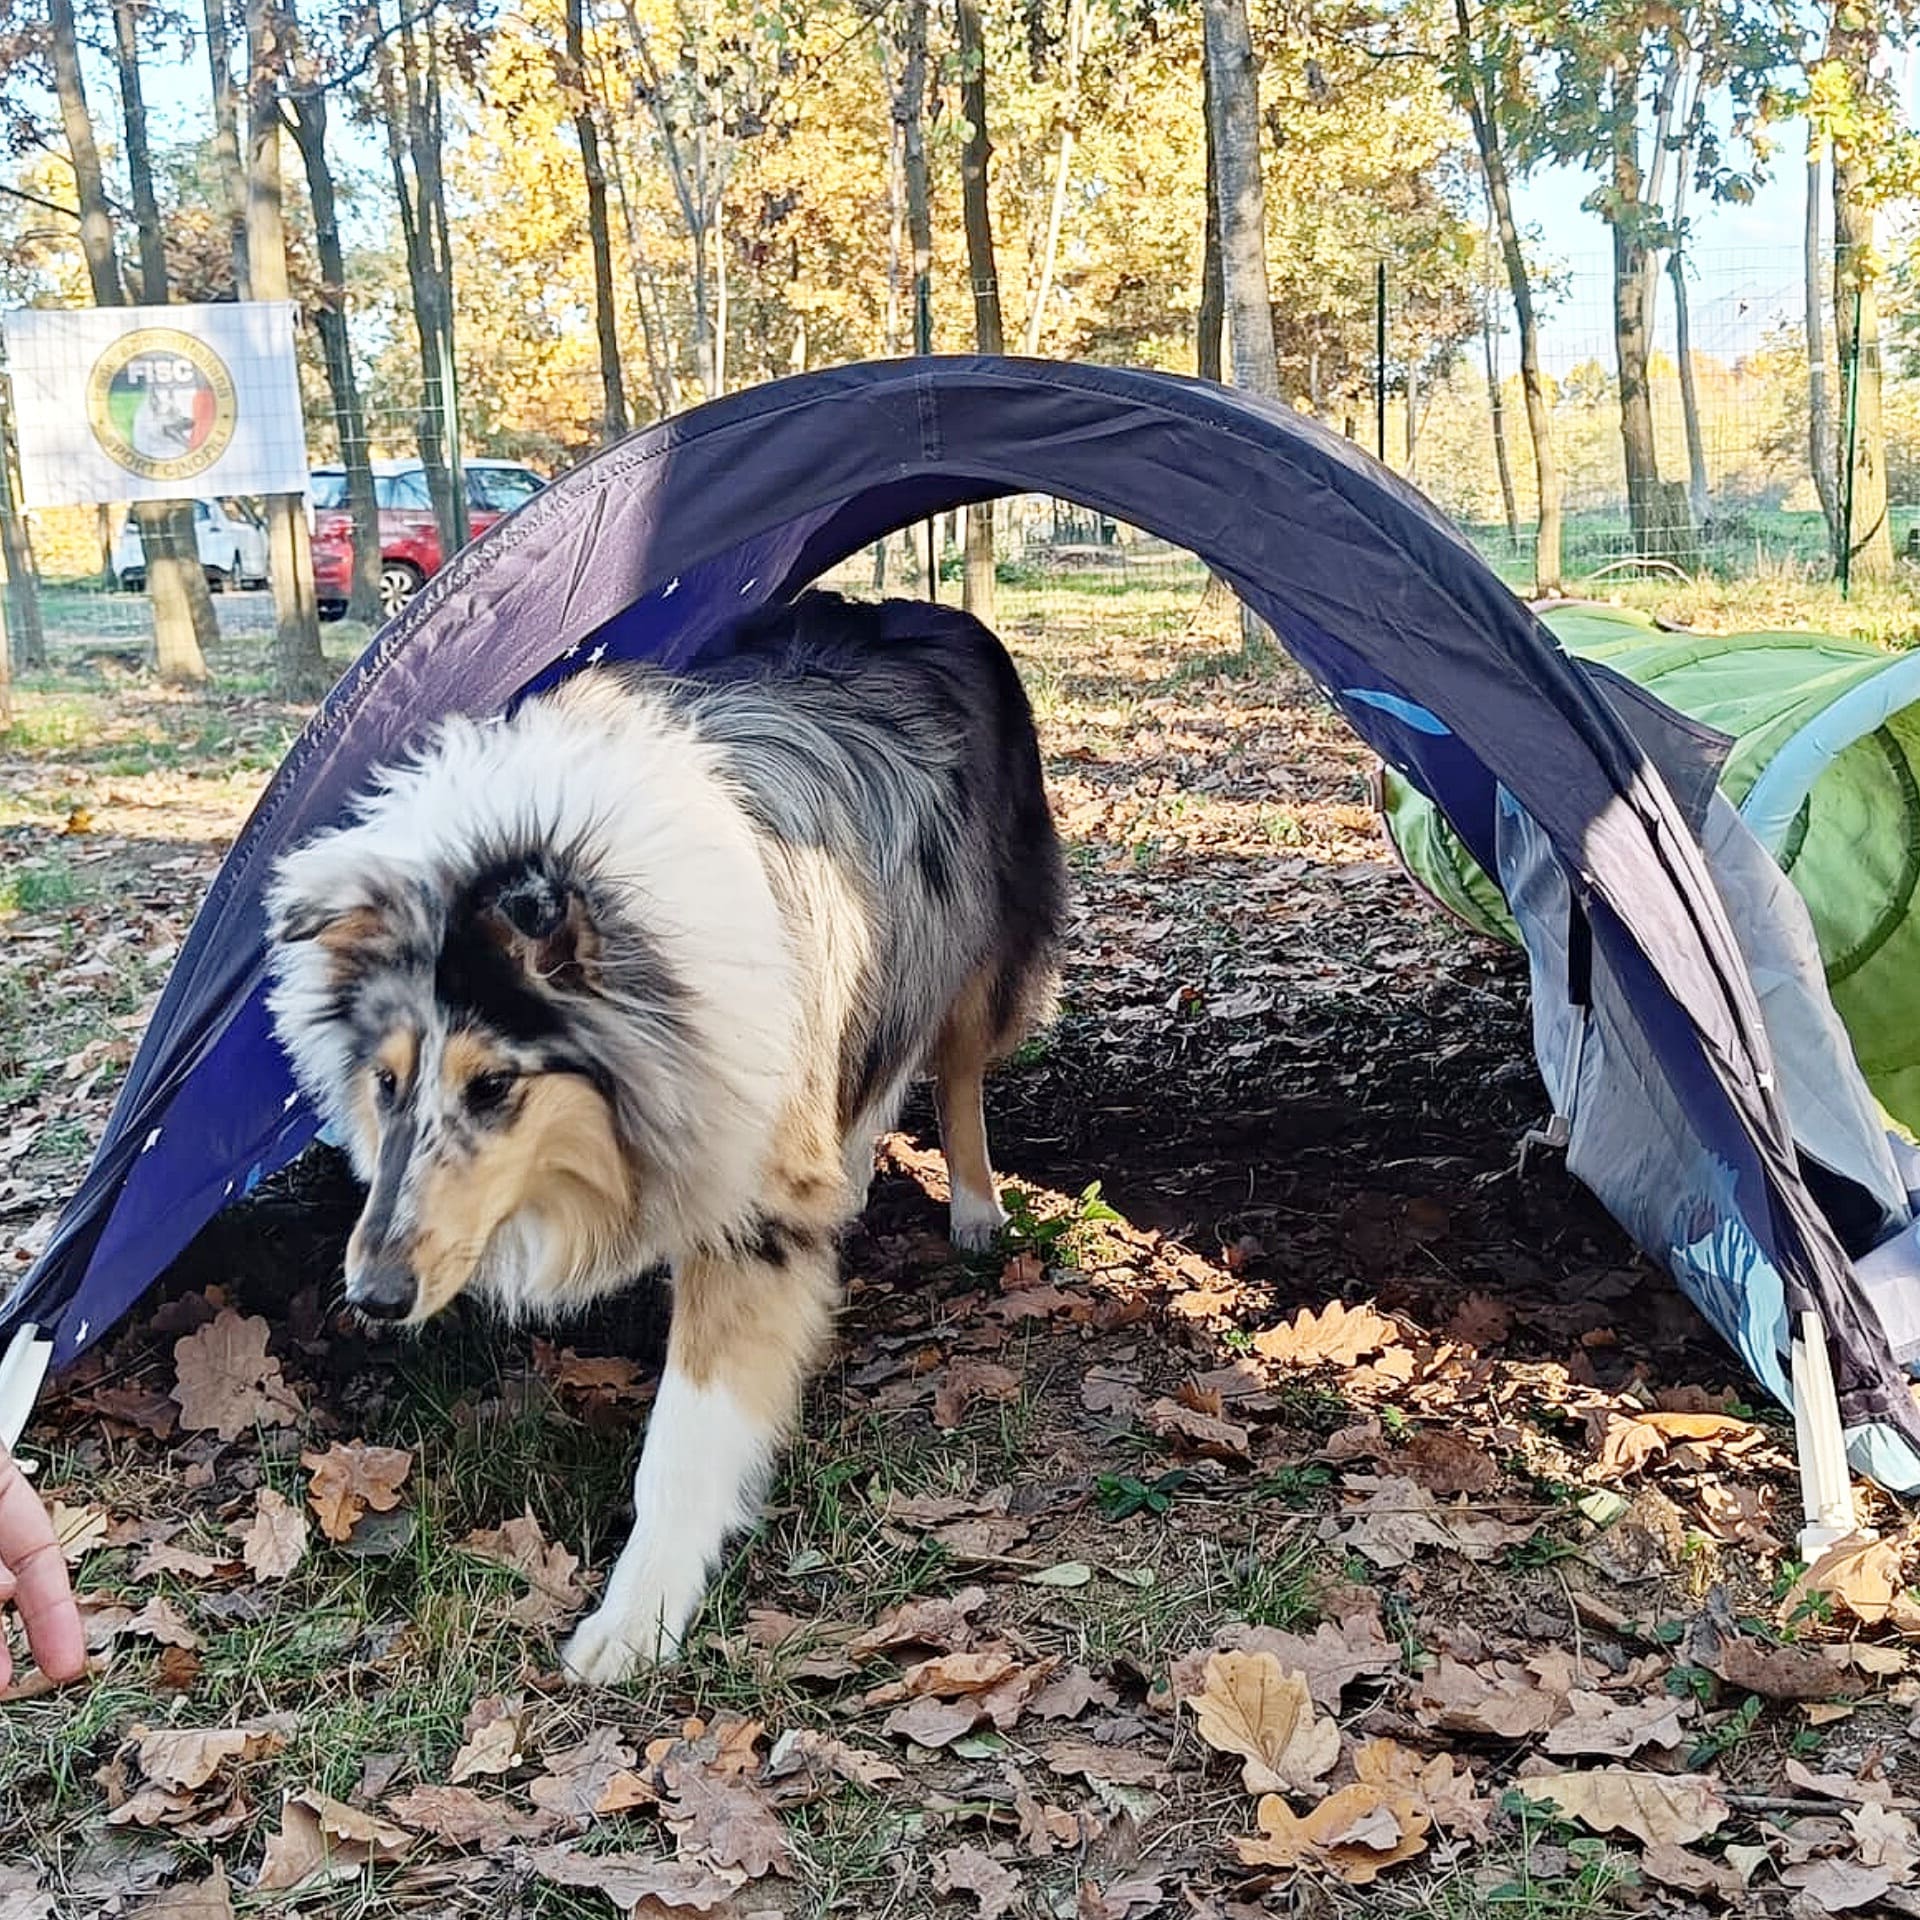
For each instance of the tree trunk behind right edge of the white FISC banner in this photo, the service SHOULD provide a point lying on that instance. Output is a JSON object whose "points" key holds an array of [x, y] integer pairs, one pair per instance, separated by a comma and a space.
{"points": [[300, 665]]}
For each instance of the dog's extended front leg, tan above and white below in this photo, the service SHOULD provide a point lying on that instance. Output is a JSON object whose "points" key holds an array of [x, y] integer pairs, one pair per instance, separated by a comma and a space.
{"points": [[746, 1333]]}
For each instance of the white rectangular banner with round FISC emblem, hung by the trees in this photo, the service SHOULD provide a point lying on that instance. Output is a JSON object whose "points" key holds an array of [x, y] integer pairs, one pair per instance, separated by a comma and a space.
{"points": [[156, 402]]}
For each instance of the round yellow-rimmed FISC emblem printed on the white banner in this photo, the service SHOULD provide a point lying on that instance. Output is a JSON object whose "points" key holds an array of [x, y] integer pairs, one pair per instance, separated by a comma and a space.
{"points": [[162, 404]]}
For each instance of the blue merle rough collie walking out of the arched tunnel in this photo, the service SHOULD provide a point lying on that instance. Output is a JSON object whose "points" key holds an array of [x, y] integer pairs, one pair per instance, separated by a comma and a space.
{"points": [[638, 974]]}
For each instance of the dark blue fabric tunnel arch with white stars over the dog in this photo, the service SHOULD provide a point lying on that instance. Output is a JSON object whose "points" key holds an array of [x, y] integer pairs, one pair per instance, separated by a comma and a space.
{"points": [[656, 548]]}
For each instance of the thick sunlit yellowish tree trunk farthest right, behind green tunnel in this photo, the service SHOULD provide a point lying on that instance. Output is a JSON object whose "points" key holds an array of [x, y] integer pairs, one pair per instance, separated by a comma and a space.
{"points": [[1854, 45]]}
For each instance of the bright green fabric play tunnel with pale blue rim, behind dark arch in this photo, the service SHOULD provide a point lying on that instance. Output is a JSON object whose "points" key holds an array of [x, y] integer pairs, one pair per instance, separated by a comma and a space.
{"points": [[1827, 771]]}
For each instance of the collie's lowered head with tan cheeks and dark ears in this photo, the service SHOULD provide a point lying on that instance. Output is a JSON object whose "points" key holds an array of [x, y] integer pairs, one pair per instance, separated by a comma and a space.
{"points": [[446, 1024]]}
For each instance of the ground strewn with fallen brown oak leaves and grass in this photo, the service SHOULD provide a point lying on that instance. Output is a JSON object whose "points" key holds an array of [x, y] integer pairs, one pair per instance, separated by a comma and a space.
{"points": [[1305, 1512]]}
